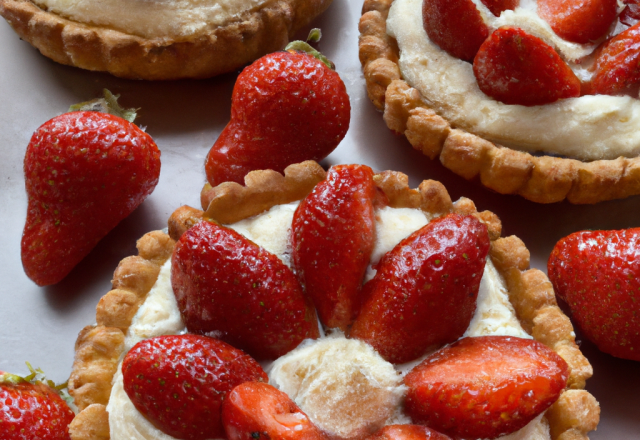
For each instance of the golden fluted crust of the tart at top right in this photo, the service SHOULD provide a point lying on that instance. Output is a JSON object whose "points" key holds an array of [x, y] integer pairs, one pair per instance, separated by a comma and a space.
{"points": [[542, 179]]}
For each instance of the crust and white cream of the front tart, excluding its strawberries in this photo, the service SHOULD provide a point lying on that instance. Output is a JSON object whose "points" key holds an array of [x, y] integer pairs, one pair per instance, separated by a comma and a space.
{"points": [[514, 300]]}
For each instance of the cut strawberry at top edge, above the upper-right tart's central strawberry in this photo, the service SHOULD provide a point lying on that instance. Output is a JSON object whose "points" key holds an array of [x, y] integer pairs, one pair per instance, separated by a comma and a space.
{"points": [[579, 21]]}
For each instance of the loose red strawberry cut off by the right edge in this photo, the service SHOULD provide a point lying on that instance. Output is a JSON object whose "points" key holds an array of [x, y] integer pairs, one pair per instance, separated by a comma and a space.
{"points": [[597, 273]]}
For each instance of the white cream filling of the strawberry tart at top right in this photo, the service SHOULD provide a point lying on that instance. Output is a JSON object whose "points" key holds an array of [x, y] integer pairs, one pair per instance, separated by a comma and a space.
{"points": [[587, 128]]}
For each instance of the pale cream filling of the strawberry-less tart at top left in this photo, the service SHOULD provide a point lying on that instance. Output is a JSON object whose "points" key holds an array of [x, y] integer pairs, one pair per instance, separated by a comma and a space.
{"points": [[170, 19]]}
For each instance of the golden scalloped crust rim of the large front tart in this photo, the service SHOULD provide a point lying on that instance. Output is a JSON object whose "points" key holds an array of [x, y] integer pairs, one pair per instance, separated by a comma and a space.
{"points": [[100, 348]]}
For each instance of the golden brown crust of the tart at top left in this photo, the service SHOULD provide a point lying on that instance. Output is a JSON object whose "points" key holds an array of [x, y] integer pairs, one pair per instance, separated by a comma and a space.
{"points": [[228, 48]]}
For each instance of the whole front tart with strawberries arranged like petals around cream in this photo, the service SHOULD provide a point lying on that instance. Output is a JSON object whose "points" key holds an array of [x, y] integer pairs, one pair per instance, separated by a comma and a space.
{"points": [[330, 305]]}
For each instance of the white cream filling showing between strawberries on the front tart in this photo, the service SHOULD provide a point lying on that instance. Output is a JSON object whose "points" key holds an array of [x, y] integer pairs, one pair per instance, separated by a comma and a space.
{"points": [[354, 360]]}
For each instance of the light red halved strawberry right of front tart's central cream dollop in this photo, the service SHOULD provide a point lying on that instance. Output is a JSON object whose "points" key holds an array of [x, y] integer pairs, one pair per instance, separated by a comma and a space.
{"points": [[485, 387]]}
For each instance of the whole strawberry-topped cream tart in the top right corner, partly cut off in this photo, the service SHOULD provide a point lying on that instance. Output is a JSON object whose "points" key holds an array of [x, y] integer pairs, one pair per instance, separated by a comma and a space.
{"points": [[537, 98]]}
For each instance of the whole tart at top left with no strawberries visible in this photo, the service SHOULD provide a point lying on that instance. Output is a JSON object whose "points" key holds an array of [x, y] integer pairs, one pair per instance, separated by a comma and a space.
{"points": [[156, 39]]}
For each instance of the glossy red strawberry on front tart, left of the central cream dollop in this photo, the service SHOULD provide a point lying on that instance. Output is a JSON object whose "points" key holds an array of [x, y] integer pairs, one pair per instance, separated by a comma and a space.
{"points": [[179, 382]]}
